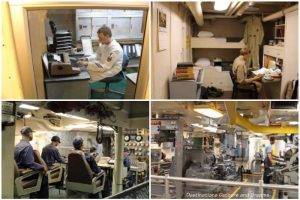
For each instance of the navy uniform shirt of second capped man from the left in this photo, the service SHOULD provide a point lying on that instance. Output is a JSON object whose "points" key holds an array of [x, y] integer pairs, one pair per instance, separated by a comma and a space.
{"points": [[51, 155]]}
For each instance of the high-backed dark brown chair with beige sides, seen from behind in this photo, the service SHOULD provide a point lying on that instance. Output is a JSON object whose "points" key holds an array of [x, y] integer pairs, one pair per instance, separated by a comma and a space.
{"points": [[80, 176]]}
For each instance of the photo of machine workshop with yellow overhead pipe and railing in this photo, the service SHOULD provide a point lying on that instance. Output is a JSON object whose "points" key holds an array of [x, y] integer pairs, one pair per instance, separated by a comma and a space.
{"points": [[224, 149]]}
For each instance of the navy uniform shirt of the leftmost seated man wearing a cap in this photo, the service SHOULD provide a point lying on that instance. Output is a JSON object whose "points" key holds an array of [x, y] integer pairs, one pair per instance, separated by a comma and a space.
{"points": [[24, 156]]}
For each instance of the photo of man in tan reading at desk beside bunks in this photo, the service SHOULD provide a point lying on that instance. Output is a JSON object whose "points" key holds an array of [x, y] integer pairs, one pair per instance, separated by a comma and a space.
{"points": [[224, 50]]}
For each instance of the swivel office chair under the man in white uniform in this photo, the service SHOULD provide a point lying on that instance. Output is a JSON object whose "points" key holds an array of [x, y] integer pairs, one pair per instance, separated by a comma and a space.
{"points": [[117, 78]]}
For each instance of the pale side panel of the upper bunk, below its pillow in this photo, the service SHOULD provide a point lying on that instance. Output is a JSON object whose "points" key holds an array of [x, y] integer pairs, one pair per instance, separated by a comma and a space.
{"points": [[215, 43]]}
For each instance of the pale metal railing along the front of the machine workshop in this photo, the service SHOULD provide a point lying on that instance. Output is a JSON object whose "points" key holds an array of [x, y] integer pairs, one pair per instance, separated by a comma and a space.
{"points": [[259, 185]]}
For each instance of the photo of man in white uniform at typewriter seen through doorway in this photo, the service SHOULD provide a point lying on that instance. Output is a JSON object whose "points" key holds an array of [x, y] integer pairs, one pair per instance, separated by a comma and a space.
{"points": [[75, 50]]}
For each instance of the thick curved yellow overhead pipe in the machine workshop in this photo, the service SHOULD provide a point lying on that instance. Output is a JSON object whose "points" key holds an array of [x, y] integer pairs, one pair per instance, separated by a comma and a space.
{"points": [[236, 119]]}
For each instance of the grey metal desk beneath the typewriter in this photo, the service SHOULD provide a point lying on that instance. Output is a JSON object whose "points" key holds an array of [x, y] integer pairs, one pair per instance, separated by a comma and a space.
{"points": [[70, 87]]}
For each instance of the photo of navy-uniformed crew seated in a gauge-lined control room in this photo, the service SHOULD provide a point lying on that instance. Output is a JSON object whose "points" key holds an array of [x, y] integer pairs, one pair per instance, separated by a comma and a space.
{"points": [[75, 149]]}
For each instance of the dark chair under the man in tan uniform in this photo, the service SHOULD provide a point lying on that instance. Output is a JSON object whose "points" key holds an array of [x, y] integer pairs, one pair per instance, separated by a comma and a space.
{"points": [[249, 89]]}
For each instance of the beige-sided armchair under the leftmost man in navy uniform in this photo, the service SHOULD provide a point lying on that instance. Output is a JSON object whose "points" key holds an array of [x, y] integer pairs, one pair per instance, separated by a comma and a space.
{"points": [[27, 181]]}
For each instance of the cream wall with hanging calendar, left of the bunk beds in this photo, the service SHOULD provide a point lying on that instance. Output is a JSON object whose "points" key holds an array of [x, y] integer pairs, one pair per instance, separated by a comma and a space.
{"points": [[178, 50]]}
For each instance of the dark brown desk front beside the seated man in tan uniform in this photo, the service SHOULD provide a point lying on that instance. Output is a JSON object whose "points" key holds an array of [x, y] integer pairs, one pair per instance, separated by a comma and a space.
{"points": [[271, 88]]}
